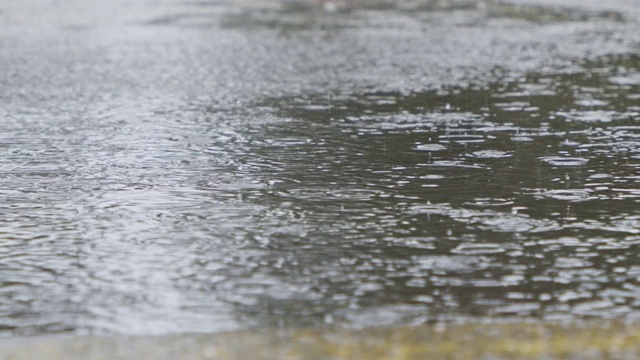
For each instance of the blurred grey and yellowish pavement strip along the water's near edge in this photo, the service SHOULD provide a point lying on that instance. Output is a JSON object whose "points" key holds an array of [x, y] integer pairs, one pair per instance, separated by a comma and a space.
{"points": [[521, 340]]}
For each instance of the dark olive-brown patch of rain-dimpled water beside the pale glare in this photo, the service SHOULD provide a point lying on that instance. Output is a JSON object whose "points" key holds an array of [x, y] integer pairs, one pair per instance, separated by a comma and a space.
{"points": [[451, 165]]}
